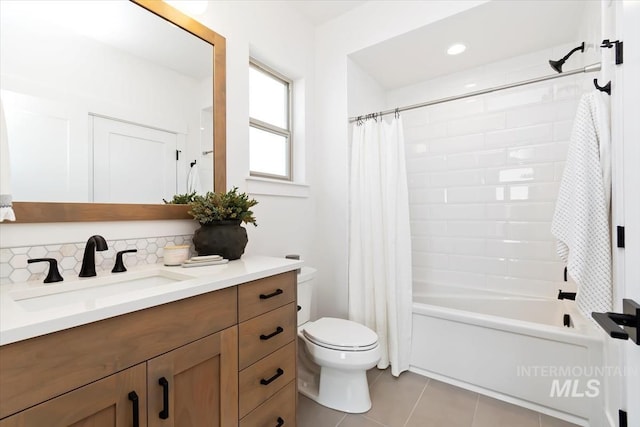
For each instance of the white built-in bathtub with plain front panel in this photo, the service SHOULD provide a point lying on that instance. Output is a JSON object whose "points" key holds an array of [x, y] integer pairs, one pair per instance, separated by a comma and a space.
{"points": [[513, 348]]}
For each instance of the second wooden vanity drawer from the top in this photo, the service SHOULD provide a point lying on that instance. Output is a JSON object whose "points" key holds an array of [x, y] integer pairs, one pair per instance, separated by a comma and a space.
{"points": [[264, 334]]}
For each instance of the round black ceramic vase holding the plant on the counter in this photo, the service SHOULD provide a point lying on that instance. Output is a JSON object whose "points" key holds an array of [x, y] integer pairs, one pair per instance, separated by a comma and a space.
{"points": [[225, 238]]}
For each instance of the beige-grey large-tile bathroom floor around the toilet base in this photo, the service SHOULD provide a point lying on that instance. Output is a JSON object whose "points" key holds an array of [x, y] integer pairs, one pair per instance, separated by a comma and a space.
{"points": [[416, 401]]}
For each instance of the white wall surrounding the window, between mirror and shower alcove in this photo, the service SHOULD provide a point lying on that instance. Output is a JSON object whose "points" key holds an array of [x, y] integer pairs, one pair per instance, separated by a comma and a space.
{"points": [[278, 37]]}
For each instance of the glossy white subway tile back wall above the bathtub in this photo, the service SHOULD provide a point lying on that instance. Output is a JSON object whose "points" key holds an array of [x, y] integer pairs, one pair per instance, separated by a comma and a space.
{"points": [[483, 176]]}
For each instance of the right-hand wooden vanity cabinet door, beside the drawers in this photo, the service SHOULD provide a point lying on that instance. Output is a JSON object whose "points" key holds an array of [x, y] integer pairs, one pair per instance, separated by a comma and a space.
{"points": [[196, 385]]}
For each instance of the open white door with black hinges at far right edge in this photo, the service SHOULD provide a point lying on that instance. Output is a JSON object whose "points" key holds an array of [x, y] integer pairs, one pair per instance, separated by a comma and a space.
{"points": [[624, 363]]}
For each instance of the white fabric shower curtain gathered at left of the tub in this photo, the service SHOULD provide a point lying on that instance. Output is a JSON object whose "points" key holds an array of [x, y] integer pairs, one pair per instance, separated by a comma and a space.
{"points": [[380, 288]]}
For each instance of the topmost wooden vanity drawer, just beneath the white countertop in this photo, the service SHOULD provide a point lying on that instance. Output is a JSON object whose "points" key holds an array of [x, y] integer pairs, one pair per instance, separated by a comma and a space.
{"points": [[261, 296]]}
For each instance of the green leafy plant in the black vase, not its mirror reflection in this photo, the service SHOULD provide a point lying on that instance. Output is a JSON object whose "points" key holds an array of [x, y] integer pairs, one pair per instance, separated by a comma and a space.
{"points": [[223, 206]]}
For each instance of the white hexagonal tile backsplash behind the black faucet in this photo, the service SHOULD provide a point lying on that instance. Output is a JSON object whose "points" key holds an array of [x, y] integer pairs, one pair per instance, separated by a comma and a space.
{"points": [[14, 267]]}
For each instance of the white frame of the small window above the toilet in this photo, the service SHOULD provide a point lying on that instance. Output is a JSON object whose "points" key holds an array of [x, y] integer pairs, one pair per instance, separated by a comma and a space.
{"points": [[276, 130]]}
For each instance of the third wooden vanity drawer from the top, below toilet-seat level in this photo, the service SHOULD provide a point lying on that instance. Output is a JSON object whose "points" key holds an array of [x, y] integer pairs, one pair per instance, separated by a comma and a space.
{"points": [[264, 378]]}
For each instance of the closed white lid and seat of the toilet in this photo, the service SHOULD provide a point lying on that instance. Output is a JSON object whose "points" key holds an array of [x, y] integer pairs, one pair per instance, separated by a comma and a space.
{"points": [[340, 334]]}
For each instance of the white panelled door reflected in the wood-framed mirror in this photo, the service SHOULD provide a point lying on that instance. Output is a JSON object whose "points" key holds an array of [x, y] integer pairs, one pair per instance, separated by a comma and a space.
{"points": [[133, 163]]}
